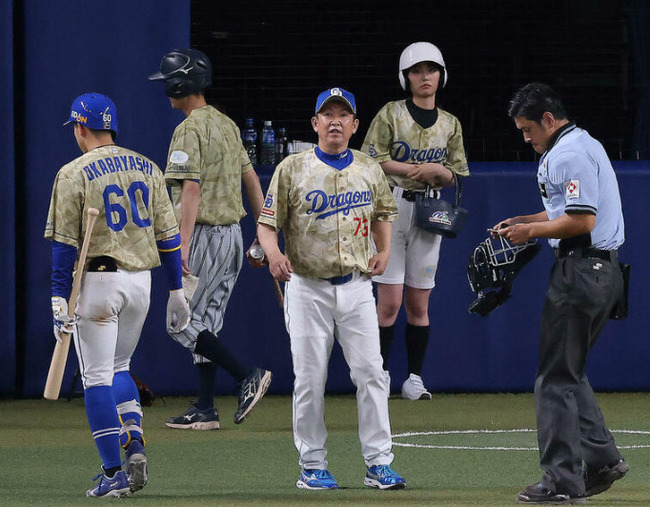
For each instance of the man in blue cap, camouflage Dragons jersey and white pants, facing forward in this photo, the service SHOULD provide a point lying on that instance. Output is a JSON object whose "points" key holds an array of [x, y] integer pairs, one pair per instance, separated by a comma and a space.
{"points": [[330, 202]]}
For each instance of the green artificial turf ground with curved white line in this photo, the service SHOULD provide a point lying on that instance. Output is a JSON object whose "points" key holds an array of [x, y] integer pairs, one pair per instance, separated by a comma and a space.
{"points": [[49, 458]]}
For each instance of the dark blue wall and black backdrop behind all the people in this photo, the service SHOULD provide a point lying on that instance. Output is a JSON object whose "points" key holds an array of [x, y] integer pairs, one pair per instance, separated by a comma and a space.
{"points": [[270, 60]]}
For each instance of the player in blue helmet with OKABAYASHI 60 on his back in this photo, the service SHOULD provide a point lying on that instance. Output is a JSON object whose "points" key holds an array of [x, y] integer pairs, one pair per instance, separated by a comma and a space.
{"points": [[135, 229]]}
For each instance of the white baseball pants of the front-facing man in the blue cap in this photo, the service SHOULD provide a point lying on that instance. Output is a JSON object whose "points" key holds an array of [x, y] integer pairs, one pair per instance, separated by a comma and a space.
{"points": [[315, 313]]}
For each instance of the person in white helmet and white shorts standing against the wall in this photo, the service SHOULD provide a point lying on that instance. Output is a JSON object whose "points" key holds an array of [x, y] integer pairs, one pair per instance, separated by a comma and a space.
{"points": [[417, 145]]}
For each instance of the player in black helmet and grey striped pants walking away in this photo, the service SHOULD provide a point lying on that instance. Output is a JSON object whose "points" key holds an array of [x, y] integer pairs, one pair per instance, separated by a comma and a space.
{"points": [[206, 166]]}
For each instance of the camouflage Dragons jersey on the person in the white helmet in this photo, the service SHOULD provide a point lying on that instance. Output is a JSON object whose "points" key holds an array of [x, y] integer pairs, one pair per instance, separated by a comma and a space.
{"points": [[394, 134]]}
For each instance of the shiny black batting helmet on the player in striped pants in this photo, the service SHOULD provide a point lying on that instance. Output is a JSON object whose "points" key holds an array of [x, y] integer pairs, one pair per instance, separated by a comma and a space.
{"points": [[184, 72]]}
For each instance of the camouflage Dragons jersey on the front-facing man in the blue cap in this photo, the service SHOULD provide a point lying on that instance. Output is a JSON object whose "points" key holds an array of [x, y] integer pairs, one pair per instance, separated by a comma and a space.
{"points": [[326, 213]]}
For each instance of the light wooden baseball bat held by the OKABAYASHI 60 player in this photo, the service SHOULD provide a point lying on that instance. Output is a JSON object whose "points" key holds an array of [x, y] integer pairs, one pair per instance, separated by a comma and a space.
{"points": [[60, 354]]}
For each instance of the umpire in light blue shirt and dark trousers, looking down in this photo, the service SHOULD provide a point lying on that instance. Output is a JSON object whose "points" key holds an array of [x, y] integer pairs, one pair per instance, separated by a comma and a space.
{"points": [[583, 222]]}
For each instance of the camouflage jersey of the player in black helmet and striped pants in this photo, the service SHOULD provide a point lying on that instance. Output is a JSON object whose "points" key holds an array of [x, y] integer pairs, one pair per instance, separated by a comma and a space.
{"points": [[207, 147]]}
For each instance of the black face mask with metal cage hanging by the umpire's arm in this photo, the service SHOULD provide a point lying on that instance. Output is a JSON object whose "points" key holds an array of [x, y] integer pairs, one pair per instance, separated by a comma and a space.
{"points": [[494, 264]]}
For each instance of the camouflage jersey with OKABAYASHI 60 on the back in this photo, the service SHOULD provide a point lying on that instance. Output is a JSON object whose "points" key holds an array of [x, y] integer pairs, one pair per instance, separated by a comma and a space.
{"points": [[130, 193]]}
